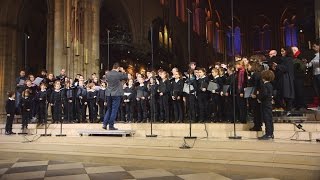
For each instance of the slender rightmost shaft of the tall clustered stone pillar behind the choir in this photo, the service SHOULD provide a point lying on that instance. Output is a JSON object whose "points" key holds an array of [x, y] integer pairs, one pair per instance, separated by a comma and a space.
{"points": [[95, 37]]}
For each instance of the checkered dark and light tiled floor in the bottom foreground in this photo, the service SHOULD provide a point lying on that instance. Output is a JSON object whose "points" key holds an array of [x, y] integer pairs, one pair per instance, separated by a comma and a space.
{"points": [[20, 169]]}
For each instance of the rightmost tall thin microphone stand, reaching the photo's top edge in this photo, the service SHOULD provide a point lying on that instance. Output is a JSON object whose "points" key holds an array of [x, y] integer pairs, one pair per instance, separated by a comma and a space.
{"points": [[234, 79]]}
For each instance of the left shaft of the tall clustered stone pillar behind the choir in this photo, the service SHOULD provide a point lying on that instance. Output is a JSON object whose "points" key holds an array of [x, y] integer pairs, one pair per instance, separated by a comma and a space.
{"points": [[59, 60]]}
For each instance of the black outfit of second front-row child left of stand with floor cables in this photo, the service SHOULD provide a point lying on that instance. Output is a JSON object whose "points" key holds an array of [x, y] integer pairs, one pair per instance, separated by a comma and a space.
{"points": [[164, 88]]}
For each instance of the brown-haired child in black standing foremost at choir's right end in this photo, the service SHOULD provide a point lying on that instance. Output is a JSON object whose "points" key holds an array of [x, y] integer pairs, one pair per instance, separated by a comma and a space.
{"points": [[265, 97]]}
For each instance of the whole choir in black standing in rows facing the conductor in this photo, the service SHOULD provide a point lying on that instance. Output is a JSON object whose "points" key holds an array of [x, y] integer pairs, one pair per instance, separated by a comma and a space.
{"points": [[220, 93]]}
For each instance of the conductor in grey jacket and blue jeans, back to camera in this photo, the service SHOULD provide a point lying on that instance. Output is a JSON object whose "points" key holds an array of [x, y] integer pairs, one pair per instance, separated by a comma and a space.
{"points": [[114, 92]]}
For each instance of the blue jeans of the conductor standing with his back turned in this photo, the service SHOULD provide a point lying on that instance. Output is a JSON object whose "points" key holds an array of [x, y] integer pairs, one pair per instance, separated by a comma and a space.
{"points": [[113, 103]]}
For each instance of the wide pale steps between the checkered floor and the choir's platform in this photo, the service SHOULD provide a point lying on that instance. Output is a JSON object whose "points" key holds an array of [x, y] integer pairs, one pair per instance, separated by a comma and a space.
{"points": [[246, 158]]}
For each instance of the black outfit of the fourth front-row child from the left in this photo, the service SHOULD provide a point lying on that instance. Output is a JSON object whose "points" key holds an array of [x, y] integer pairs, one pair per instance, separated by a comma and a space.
{"points": [[57, 98]]}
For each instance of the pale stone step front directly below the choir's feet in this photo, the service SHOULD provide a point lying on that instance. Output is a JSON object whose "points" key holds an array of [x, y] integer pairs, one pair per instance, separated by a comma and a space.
{"points": [[284, 131]]}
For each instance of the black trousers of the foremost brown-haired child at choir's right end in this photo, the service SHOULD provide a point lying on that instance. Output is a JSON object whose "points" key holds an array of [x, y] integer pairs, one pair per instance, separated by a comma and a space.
{"points": [[267, 117]]}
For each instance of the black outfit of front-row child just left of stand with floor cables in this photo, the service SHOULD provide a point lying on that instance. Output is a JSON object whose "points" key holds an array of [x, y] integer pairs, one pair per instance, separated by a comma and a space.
{"points": [[177, 102]]}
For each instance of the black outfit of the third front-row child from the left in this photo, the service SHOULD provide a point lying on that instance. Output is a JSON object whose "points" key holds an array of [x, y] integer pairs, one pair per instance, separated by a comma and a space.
{"points": [[42, 99]]}
